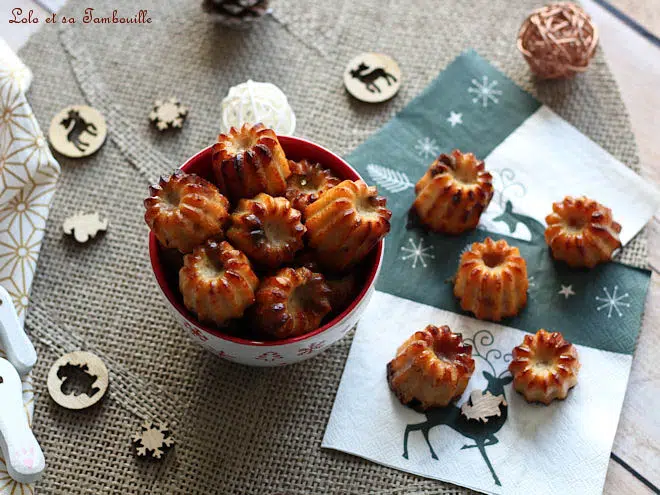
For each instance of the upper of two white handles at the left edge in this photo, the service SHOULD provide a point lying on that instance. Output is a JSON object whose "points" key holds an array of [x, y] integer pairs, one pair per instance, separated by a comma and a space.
{"points": [[17, 345]]}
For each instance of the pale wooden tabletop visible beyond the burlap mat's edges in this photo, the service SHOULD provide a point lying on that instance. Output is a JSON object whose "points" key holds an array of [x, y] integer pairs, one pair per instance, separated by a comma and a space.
{"points": [[634, 57]]}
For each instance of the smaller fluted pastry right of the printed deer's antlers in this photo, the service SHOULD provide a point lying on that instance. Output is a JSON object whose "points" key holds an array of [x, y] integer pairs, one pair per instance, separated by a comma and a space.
{"points": [[544, 367]]}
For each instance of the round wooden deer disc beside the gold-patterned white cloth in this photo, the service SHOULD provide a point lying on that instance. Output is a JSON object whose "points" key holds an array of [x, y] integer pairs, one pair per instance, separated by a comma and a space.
{"points": [[77, 131]]}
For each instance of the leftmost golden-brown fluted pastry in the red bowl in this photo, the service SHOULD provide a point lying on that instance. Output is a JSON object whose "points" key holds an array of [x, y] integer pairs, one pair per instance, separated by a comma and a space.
{"points": [[185, 210]]}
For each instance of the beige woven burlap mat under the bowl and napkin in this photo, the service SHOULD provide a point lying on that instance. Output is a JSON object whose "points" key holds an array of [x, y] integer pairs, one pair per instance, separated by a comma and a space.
{"points": [[238, 429]]}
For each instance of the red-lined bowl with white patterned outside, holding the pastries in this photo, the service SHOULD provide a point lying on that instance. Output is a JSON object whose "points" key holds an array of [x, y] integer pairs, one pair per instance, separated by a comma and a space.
{"points": [[269, 352]]}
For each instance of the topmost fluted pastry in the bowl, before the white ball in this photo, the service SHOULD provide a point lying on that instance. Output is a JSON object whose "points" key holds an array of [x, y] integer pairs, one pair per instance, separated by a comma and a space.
{"points": [[249, 161]]}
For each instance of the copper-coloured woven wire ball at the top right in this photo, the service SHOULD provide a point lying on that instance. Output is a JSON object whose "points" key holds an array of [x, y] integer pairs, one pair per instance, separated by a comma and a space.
{"points": [[558, 40]]}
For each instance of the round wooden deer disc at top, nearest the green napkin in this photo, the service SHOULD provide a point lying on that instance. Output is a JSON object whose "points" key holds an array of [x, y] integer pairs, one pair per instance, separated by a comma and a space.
{"points": [[372, 77]]}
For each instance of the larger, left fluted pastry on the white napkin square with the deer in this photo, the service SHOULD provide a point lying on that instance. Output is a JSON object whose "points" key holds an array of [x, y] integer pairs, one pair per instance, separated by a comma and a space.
{"points": [[431, 368]]}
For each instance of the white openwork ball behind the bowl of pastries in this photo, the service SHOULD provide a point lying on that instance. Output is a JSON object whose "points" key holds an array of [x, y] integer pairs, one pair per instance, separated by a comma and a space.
{"points": [[252, 102]]}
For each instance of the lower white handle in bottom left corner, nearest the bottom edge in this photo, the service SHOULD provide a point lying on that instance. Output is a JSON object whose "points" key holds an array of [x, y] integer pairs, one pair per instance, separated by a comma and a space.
{"points": [[22, 453]]}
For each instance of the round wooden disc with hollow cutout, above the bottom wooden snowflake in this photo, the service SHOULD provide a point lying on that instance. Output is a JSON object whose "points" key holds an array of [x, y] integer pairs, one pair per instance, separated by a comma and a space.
{"points": [[78, 380]]}
